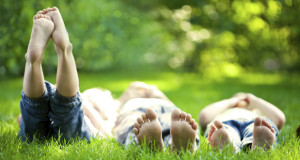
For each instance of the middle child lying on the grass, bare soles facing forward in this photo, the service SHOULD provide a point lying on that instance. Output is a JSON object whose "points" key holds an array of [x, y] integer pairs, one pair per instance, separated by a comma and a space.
{"points": [[148, 116]]}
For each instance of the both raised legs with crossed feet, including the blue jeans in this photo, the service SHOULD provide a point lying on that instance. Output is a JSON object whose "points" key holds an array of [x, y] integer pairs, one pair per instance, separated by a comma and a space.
{"points": [[48, 110]]}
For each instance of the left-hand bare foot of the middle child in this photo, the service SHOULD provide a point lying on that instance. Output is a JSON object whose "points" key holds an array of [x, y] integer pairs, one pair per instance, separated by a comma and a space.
{"points": [[148, 129]]}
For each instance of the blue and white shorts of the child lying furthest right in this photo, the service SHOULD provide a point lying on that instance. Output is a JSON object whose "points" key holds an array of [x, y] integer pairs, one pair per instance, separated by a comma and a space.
{"points": [[241, 131]]}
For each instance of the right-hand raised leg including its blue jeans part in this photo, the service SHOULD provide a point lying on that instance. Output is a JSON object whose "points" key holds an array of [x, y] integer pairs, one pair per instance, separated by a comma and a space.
{"points": [[65, 102]]}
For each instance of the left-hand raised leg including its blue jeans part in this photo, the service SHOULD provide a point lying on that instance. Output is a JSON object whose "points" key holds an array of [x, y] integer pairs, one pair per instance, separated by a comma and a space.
{"points": [[35, 100]]}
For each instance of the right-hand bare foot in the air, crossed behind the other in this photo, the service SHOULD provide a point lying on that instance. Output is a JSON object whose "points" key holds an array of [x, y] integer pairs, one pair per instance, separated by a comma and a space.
{"points": [[60, 35]]}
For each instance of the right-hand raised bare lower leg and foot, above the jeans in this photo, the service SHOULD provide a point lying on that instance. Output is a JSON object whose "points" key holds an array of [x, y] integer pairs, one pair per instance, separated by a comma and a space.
{"points": [[67, 82]]}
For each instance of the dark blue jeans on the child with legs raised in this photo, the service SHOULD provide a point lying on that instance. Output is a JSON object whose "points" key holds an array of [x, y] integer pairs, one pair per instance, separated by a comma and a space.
{"points": [[52, 115]]}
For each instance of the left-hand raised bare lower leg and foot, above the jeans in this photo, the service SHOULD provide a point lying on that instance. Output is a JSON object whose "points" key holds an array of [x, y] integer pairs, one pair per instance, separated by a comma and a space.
{"points": [[33, 83]]}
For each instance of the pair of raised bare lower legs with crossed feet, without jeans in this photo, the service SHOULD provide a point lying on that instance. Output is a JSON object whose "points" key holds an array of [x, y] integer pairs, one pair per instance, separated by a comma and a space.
{"points": [[49, 23]]}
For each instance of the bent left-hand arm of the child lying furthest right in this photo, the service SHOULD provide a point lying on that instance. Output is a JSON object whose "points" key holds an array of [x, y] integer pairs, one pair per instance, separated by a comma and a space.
{"points": [[211, 111]]}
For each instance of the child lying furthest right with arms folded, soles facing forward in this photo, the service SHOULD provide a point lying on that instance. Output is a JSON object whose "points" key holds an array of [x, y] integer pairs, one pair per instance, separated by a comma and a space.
{"points": [[237, 121]]}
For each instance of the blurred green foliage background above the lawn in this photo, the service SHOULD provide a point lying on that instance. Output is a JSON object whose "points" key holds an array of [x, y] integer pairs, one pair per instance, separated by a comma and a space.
{"points": [[209, 37]]}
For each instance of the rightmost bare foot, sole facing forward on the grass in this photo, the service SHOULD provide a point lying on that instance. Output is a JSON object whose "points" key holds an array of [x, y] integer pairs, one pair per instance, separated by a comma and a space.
{"points": [[263, 134]]}
